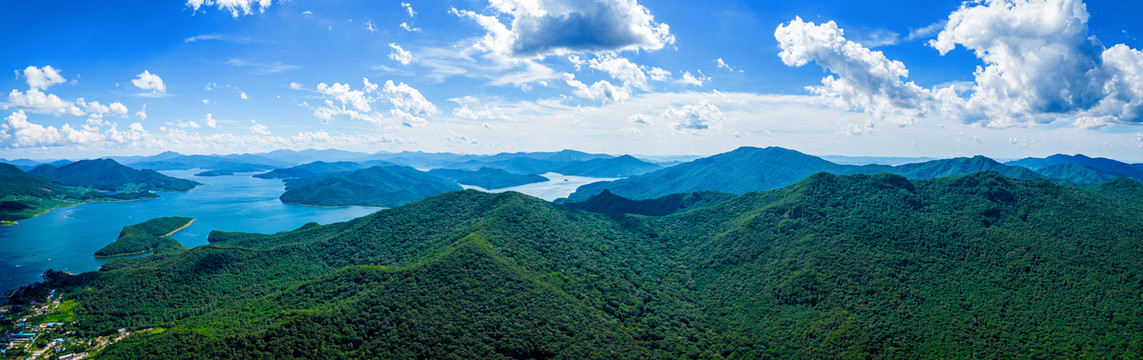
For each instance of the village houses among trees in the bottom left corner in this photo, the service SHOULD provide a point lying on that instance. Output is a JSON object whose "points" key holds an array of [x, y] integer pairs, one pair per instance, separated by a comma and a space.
{"points": [[45, 331]]}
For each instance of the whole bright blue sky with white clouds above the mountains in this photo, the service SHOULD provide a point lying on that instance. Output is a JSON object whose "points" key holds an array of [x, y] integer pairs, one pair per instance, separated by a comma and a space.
{"points": [[1003, 78]]}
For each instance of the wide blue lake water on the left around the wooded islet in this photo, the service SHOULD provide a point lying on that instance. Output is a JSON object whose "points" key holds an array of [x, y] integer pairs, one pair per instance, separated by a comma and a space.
{"points": [[66, 239]]}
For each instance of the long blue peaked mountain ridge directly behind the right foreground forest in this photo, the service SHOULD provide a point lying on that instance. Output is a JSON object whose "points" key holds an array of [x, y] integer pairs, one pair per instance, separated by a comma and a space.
{"points": [[748, 170]]}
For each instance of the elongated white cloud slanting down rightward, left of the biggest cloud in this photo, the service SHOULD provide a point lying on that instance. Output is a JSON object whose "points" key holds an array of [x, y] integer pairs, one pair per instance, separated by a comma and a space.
{"points": [[867, 81]]}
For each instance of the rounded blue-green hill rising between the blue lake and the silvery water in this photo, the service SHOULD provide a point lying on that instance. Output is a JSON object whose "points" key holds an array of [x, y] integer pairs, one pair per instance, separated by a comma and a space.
{"points": [[382, 187]]}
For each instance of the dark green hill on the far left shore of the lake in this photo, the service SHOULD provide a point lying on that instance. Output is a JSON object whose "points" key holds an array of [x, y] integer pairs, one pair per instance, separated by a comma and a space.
{"points": [[107, 174]]}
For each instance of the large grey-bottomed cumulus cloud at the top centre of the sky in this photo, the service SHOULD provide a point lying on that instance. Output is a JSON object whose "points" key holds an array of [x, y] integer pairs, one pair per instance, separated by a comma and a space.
{"points": [[543, 28]]}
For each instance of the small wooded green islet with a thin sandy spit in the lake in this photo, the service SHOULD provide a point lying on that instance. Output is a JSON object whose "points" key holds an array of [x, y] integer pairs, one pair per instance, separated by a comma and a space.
{"points": [[147, 237]]}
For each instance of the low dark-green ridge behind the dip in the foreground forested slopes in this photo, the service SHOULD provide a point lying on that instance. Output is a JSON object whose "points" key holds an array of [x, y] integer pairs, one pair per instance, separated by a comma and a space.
{"points": [[606, 203]]}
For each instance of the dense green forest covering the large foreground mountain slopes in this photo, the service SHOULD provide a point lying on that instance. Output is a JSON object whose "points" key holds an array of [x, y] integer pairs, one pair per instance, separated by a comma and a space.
{"points": [[870, 267]]}
